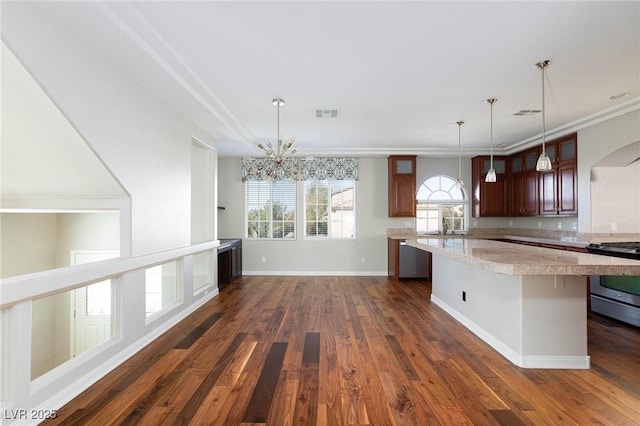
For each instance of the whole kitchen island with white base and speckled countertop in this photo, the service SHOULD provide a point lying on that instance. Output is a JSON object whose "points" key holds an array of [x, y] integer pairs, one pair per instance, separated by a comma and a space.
{"points": [[528, 303]]}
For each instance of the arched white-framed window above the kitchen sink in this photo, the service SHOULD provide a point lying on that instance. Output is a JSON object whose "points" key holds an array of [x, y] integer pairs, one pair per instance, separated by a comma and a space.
{"points": [[440, 205]]}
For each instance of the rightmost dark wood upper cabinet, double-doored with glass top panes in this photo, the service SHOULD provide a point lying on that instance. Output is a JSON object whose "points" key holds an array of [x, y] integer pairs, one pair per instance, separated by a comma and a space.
{"points": [[559, 186]]}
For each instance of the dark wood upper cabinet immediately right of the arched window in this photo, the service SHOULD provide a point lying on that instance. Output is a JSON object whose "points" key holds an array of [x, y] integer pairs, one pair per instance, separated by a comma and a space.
{"points": [[489, 198]]}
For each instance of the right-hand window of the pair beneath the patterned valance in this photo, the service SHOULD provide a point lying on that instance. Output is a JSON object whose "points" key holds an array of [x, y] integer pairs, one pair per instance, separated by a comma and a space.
{"points": [[329, 209]]}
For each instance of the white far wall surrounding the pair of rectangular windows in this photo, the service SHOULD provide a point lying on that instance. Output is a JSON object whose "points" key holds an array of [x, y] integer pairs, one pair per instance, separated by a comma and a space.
{"points": [[311, 256]]}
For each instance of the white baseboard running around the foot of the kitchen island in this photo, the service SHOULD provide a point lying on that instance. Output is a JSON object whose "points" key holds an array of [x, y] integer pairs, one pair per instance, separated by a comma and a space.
{"points": [[521, 360]]}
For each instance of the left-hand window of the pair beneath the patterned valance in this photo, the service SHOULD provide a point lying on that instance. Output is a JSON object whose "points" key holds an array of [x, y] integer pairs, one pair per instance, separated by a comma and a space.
{"points": [[271, 209]]}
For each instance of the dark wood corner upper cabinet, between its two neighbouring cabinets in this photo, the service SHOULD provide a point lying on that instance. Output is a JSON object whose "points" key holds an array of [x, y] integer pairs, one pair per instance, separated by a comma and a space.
{"points": [[523, 183]]}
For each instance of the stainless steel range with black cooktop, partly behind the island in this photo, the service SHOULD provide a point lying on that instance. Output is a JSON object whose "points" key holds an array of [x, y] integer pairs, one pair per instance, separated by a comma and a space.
{"points": [[613, 295]]}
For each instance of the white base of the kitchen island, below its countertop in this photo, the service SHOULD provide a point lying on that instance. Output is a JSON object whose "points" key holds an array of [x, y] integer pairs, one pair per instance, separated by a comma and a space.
{"points": [[533, 321]]}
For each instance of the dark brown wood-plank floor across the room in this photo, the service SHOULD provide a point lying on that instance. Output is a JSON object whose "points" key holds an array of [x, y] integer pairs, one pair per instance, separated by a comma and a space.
{"points": [[352, 351]]}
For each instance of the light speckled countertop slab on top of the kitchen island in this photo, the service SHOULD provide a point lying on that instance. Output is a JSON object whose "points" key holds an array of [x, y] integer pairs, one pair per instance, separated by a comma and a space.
{"points": [[518, 259]]}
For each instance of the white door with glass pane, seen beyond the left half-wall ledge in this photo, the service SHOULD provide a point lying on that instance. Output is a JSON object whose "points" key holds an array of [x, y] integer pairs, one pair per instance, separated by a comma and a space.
{"points": [[90, 305]]}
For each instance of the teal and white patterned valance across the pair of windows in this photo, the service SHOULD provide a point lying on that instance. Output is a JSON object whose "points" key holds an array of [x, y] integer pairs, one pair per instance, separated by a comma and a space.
{"points": [[320, 168]]}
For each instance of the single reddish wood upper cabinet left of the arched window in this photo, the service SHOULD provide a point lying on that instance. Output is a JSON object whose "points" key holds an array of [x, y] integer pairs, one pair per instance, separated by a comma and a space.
{"points": [[402, 186]]}
